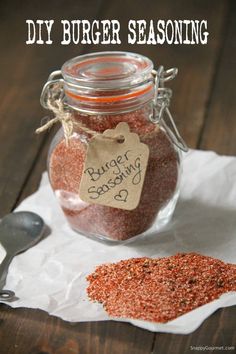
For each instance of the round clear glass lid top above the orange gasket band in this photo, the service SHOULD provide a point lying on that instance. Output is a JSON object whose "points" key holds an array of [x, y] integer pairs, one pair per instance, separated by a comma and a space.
{"points": [[108, 70]]}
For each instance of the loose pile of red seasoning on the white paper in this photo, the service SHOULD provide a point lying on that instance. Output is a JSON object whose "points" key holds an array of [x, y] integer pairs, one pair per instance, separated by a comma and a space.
{"points": [[160, 290]]}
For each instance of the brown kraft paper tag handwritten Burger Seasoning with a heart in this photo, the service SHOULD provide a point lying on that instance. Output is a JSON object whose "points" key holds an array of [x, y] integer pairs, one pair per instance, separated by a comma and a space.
{"points": [[115, 168]]}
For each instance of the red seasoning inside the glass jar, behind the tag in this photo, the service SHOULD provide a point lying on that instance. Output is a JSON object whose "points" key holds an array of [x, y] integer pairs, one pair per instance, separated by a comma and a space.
{"points": [[66, 168]]}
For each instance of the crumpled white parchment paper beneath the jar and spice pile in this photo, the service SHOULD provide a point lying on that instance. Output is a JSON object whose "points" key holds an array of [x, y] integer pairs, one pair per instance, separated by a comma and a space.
{"points": [[51, 275]]}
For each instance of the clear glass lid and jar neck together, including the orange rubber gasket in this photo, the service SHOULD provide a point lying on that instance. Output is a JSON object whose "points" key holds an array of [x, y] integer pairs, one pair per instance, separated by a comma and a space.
{"points": [[108, 82]]}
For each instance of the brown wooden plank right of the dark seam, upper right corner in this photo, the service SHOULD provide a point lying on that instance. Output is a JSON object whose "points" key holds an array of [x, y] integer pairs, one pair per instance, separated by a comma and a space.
{"points": [[219, 133]]}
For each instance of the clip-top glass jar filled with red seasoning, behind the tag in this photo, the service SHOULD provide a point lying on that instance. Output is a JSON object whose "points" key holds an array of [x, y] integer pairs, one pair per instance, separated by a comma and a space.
{"points": [[98, 91]]}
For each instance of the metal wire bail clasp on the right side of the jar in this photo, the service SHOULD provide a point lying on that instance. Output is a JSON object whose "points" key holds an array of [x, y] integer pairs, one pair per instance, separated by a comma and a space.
{"points": [[161, 103]]}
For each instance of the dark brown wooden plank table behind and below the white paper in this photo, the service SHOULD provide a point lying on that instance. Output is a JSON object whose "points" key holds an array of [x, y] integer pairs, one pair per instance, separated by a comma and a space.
{"points": [[204, 106]]}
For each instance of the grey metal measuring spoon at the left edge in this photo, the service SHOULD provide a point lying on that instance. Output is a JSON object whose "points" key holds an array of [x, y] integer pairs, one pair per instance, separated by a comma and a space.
{"points": [[18, 232]]}
